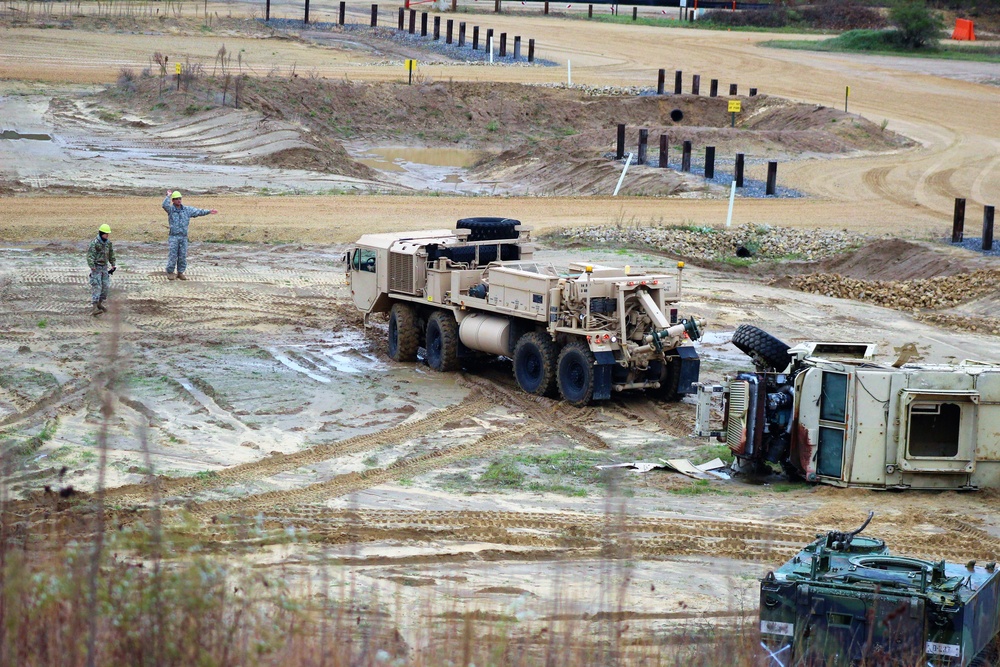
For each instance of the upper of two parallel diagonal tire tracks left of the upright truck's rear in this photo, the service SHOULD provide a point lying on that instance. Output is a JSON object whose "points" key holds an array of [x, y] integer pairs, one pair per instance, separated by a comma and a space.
{"points": [[272, 465]]}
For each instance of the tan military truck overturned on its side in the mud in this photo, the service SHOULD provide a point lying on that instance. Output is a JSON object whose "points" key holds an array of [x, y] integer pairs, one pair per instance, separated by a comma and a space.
{"points": [[828, 414]]}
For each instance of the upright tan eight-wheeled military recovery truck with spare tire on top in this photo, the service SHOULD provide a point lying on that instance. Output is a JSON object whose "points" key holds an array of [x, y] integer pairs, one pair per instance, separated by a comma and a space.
{"points": [[477, 289]]}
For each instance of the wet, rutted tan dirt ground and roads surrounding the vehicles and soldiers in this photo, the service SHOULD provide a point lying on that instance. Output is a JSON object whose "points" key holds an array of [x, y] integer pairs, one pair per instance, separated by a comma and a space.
{"points": [[260, 393]]}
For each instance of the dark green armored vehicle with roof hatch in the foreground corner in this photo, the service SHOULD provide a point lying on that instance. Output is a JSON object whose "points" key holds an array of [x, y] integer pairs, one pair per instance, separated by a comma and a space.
{"points": [[845, 601]]}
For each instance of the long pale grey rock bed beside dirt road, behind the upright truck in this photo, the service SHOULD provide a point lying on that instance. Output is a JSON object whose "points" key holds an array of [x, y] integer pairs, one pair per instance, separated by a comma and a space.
{"points": [[759, 242]]}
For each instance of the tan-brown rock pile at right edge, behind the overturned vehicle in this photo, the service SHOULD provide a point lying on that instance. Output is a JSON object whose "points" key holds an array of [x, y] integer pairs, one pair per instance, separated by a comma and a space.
{"points": [[930, 293]]}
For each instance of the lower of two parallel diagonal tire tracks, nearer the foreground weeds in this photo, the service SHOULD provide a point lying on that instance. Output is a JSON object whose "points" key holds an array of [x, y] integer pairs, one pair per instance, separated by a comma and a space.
{"points": [[357, 481]]}
